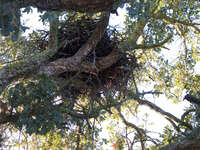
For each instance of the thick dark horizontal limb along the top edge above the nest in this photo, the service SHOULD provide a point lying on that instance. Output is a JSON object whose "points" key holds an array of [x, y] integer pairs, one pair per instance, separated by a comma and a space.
{"points": [[62, 5]]}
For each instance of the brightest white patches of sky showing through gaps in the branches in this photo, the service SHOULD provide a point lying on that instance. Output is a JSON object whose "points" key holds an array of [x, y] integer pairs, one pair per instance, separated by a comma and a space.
{"points": [[32, 21]]}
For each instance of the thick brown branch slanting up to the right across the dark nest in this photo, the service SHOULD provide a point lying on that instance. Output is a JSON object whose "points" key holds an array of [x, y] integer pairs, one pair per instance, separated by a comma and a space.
{"points": [[74, 63]]}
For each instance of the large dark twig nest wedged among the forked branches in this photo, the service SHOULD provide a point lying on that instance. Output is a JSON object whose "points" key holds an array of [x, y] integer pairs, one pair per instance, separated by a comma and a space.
{"points": [[76, 32]]}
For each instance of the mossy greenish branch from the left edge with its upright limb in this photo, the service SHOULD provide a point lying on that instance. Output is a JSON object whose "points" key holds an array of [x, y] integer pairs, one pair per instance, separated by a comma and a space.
{"points": [[29, 65]]}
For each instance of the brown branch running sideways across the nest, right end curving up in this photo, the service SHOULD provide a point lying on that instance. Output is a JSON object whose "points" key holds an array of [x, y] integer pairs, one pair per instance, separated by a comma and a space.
{"points": [[69, 64]]}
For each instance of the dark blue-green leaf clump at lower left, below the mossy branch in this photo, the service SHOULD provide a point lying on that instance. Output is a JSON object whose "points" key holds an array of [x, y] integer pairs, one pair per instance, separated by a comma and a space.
{"points": [[34, 104]]}
